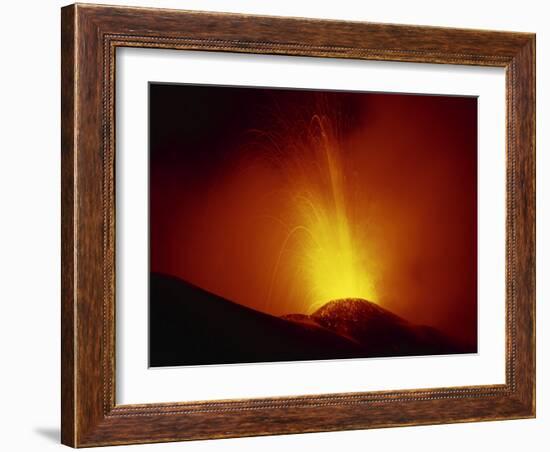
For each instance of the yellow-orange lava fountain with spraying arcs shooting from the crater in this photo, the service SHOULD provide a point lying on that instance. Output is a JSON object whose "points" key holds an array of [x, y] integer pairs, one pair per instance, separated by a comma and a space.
{"points": [[326, 244]]}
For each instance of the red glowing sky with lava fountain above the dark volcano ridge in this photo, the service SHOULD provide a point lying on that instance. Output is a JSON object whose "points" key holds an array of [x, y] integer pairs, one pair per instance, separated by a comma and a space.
{"points": [[282, 200]]}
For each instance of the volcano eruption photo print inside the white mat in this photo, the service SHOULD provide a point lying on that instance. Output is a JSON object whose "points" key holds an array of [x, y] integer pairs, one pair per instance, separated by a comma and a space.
{"points": [[294, 224]]}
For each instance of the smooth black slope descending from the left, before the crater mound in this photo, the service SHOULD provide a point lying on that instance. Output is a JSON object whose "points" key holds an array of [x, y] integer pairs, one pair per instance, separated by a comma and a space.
{"points": [[190, 326]]}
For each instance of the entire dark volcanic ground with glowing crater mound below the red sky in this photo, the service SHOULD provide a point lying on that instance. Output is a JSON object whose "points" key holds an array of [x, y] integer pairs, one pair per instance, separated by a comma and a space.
{"points": [[190, 326]]}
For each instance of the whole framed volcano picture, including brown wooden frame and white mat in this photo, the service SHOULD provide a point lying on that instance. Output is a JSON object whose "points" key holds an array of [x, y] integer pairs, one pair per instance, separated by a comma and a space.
{"points": [[281, 225]]}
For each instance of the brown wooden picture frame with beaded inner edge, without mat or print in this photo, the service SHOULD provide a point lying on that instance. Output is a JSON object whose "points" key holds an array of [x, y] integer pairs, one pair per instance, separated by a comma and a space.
{"points": [[90, 36]]}
